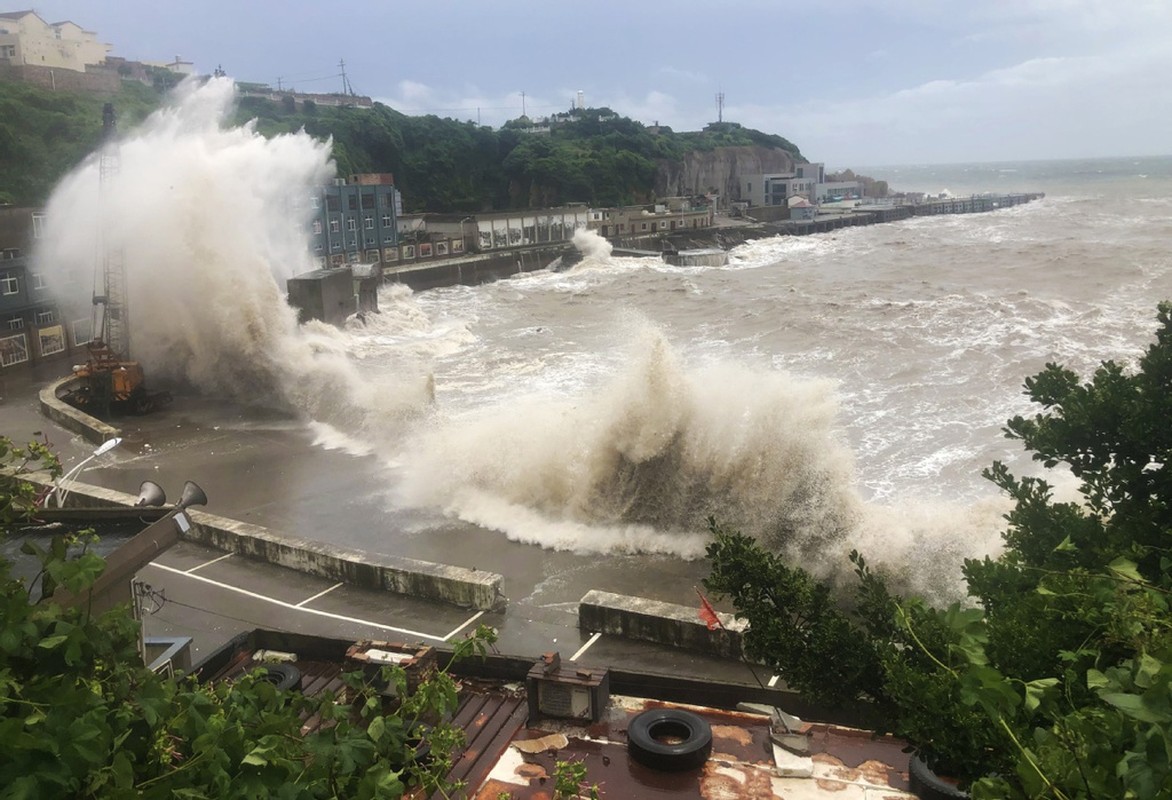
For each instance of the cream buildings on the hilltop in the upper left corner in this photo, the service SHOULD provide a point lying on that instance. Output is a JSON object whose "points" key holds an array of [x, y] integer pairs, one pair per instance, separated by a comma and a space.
{"points": [[29, 40]]}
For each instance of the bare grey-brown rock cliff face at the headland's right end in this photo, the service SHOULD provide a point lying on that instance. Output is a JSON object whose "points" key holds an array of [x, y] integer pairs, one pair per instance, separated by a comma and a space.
{"points": [[721, 169]]}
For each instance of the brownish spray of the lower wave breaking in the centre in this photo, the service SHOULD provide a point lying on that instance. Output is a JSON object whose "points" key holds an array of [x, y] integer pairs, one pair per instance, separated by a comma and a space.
{"points": [[659, 448]]}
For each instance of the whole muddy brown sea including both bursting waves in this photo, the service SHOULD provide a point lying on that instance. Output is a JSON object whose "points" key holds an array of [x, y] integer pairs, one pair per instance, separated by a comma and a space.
{"points": [[823, 394]]}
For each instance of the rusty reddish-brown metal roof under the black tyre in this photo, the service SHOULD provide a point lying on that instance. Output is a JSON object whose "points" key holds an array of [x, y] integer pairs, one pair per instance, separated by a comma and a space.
{"points": [[506, 756]]}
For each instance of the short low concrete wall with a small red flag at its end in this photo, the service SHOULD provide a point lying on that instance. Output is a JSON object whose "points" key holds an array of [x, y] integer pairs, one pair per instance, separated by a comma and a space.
{"points": [[664, 624]]}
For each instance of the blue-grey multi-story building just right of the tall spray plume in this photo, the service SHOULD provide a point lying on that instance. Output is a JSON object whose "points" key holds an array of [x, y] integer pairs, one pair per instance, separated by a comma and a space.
{"points": [[356, 221]]}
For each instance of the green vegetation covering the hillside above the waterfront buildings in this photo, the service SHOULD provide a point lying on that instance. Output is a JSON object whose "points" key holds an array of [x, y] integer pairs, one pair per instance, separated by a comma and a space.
{"points": [[590, 156]]}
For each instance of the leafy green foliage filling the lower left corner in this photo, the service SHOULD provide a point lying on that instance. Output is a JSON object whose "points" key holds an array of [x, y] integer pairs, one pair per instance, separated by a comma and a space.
{"points": [[83, 717]]}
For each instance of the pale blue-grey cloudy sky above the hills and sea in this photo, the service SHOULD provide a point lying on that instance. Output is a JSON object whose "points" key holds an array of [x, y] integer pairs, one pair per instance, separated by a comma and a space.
{"points": [[851, 83]]}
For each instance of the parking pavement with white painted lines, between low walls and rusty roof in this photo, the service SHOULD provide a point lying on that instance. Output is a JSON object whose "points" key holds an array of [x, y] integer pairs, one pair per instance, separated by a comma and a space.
{"points": [[212, 597]]}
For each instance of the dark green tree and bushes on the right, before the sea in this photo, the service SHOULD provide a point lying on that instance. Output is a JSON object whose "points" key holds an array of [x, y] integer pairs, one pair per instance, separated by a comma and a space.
{"points": [[1058, 682]]}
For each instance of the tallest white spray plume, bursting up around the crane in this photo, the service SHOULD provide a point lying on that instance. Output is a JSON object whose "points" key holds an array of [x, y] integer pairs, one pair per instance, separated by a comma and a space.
{"points": [[209, 222]]}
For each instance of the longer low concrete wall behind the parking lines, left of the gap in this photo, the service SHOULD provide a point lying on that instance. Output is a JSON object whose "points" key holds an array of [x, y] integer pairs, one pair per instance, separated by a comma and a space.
{"points": [[369, 571]]}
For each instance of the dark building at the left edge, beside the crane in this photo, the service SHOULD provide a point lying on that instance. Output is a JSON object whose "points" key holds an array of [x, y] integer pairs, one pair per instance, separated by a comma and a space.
{"points": [[31, 325]]}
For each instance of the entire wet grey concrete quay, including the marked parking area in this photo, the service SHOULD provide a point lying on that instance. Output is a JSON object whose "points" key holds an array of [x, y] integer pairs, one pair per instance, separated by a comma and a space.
{"points": [[263, 468]]}
